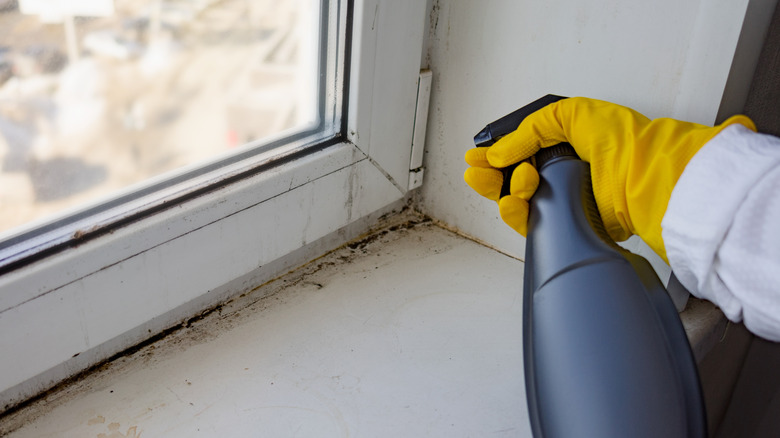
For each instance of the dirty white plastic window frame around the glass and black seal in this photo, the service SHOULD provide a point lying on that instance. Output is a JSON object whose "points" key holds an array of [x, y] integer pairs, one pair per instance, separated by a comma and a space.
{"points": [[73, 309]]}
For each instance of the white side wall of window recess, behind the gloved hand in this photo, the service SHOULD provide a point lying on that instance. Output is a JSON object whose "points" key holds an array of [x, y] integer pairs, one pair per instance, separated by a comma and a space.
{"points": [[664, 58]]}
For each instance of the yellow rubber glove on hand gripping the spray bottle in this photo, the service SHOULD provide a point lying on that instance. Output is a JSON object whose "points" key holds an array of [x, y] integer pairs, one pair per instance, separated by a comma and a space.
{"points": [[635, 162]]}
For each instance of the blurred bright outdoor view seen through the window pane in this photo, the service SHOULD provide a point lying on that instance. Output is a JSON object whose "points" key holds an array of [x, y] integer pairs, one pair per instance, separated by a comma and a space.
{"points": [[96, 95]]}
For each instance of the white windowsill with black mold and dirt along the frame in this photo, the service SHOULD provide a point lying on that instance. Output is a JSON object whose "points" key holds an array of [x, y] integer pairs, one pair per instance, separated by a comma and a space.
{"points": [[411, 331]]}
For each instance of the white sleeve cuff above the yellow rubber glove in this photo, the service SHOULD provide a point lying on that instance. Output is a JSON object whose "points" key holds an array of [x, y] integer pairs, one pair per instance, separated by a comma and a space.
{"points": [[721, 229]]}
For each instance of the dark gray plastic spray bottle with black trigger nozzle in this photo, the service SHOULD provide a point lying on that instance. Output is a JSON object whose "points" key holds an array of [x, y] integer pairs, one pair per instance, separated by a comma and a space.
{"points": [[605, 351]]}
